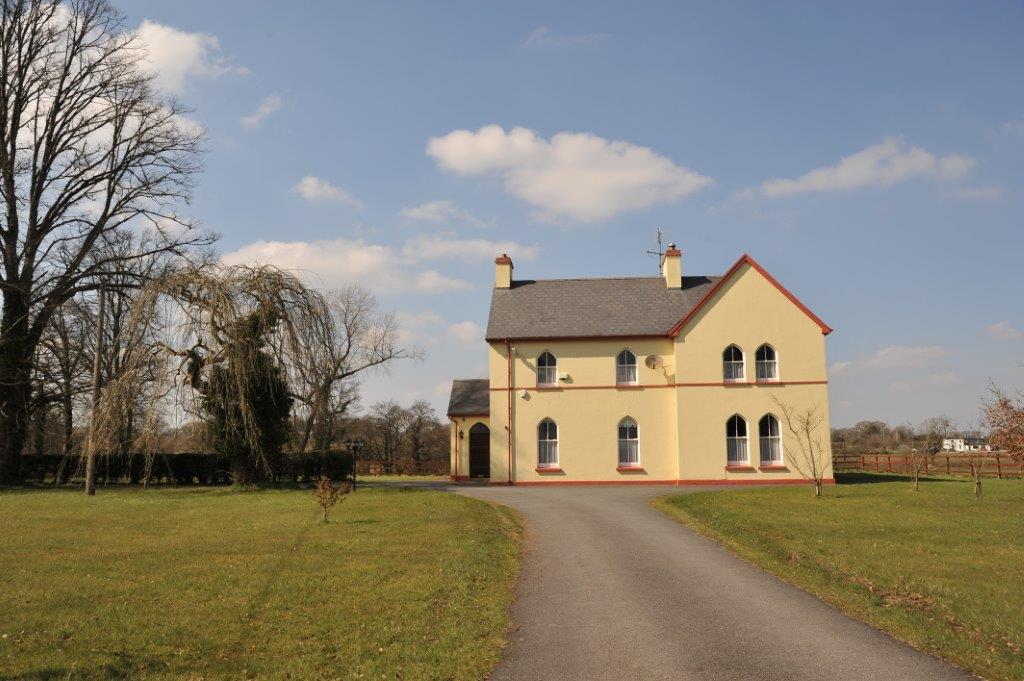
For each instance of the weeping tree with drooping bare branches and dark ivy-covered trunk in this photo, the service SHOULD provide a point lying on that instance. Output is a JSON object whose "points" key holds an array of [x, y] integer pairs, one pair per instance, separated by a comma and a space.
{"points": [[226, 336]]}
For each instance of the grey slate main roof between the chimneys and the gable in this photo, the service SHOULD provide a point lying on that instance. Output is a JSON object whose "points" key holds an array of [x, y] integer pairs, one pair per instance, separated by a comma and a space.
{"points": [[591, 308]]}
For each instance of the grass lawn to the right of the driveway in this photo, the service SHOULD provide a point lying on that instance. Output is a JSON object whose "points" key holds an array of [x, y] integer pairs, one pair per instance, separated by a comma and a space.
{"points": [[936, 569]]}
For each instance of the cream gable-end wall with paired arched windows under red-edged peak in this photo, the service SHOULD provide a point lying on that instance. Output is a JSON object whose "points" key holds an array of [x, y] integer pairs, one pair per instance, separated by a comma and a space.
{"points": [[749, 311]]}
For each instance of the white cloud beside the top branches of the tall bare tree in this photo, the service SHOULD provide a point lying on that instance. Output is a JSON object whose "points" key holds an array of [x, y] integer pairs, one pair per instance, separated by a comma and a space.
{"points": [[177, 56]]}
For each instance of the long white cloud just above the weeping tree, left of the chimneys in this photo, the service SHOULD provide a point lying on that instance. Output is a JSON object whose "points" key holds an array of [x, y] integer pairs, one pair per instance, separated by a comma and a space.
{"points": [[340, 262]]}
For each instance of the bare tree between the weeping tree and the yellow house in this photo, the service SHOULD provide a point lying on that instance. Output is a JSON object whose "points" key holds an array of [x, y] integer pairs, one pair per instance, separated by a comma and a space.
{"points": [[360, 338]]}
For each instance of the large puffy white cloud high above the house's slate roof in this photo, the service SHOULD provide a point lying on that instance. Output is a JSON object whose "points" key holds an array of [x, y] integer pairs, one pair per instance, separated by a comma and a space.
{"points": [[572, 176]]}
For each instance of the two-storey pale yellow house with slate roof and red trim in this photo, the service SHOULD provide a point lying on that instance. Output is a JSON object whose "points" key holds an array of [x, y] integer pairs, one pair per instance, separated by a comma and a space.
{"points": [[666, 379]]}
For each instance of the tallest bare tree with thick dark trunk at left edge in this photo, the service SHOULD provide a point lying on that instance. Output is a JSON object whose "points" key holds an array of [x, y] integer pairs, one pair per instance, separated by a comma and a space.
{"points": [[88, 147]]}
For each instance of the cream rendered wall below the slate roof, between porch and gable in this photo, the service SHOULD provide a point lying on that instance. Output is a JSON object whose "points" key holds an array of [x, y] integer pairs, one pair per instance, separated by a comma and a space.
{"points": [[587, 409]]}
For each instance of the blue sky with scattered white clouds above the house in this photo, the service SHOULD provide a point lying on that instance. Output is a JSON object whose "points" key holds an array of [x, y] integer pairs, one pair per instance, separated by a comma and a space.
{"points": [[871, 157]]}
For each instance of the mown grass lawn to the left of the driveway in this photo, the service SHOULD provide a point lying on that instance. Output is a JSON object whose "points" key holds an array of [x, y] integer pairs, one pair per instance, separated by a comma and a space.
{"points": [[217, 584]]}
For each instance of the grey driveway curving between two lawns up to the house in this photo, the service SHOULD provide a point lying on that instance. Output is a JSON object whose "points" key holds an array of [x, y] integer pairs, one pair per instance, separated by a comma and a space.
{"points": [[612, 589]]}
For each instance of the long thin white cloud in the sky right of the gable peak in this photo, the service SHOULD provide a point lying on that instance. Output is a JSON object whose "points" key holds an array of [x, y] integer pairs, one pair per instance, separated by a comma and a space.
{"points": [[882, 165]]}
